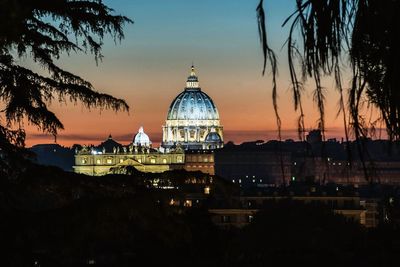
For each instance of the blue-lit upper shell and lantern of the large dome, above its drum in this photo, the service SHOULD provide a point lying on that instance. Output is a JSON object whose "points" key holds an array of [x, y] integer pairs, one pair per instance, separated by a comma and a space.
{"points": [[192, 103]]}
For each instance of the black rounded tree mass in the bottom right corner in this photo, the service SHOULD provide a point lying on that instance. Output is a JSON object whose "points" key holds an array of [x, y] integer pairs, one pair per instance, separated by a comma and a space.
{"points": [[289, 233]]}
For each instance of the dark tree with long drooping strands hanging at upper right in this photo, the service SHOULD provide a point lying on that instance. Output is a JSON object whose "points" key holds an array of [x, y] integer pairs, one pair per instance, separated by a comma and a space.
{"points": [[327, 37]]}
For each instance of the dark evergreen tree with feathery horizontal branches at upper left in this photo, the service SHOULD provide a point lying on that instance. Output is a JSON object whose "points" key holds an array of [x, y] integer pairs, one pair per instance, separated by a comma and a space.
{"points": [[44, 30]]}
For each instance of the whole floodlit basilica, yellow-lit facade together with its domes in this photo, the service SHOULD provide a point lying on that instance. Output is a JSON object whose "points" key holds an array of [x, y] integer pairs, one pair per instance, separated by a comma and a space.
{"points": [[191, 133]]}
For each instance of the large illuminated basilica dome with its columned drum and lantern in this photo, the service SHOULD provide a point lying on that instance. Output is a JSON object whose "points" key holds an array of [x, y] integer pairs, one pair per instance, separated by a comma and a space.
{"points": [[191, 116]]}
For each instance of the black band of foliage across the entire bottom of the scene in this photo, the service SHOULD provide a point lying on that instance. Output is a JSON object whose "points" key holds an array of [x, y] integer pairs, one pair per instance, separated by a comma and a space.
{"points": [[66, 219]]}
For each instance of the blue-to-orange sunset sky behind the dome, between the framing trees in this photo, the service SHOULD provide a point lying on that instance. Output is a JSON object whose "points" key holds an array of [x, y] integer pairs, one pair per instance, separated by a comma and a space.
{"points": [[150, 66]]}
